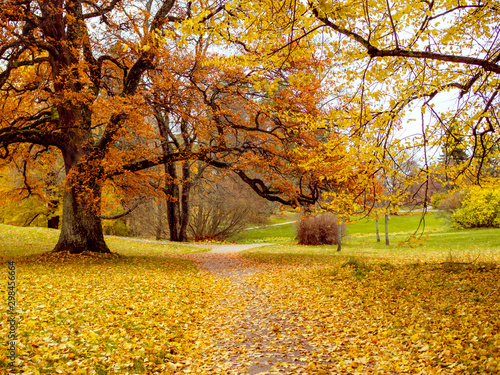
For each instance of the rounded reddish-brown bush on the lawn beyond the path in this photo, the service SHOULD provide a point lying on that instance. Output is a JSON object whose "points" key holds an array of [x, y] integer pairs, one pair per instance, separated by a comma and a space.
{"points": [[318, 230]]}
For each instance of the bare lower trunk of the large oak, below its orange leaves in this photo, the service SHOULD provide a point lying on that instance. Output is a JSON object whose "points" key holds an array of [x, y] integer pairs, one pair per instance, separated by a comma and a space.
{"points": [[81, 228]]}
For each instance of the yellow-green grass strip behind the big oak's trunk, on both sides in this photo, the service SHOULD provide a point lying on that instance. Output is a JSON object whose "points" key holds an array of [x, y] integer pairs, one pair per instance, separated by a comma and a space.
{"points": [[19, 241]]}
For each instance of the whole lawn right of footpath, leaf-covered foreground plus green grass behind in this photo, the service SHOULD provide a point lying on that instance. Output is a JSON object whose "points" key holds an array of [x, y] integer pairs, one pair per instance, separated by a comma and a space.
{"points": [[426, 307]]}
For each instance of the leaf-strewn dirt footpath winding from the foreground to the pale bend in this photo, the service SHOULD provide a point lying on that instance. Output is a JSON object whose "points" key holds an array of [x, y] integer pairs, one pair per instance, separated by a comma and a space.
{"points": [[247, 333]]}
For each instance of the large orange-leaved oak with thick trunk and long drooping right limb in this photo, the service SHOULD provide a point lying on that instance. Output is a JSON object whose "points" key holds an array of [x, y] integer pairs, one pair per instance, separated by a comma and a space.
{"points": [[74, 79]]}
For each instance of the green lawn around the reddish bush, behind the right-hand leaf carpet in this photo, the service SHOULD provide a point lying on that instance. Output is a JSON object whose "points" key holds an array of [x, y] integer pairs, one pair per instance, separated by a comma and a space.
{"points": [[440, 241]]}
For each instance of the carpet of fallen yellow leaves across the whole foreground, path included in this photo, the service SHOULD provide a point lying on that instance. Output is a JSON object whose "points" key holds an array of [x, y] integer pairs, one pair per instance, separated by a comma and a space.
{"points": [[278, 309]]}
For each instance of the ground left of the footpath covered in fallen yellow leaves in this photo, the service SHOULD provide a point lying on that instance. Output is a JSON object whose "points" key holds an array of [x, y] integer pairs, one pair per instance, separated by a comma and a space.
{"points": [[104, 315]]}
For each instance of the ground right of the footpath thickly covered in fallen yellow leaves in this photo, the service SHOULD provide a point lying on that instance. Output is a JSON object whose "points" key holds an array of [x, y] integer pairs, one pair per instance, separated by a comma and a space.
{"points": [[390, 315]]}
